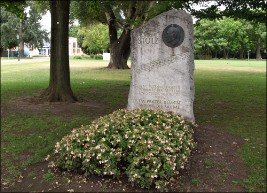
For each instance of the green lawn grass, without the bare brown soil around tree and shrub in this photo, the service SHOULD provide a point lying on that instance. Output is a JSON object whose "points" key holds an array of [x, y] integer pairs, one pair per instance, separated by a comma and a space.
{"points": [[230, 95]]}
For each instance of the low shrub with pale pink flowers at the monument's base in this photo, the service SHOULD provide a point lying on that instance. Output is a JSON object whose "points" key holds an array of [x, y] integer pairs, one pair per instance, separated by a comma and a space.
{"points": [[149, 146]]}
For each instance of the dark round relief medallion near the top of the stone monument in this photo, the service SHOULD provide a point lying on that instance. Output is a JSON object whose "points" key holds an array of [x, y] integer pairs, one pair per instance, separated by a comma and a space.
{"points": [[173, 35]]}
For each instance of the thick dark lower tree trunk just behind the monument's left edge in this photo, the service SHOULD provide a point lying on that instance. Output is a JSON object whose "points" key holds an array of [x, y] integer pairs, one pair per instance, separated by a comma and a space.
{"points": [[120, 51]]}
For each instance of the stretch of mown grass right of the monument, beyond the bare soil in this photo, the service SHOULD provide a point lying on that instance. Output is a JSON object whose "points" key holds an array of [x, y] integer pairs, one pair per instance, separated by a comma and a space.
{"points": [[235, 100]]}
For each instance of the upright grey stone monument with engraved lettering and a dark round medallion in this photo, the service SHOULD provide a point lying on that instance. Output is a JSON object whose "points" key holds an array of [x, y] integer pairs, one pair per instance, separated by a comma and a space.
{"points": [[162, 69]]}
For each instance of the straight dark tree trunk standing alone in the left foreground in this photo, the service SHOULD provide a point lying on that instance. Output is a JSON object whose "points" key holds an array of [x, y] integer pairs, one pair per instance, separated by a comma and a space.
{"points": [[59, 88]]}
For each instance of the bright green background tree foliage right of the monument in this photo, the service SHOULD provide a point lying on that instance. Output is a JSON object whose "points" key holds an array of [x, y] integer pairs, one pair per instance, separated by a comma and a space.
{"points": [[227, 37]]}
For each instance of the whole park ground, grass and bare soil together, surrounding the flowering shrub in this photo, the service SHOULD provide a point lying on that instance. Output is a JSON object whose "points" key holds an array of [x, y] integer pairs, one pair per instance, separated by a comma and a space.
{"points": [[230, 109]]}
